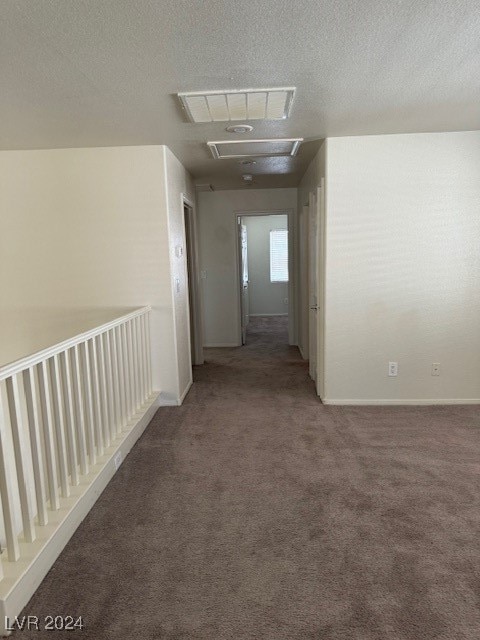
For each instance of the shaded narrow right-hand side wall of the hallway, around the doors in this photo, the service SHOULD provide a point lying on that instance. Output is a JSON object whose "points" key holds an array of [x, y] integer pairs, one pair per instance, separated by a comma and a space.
{"points": [[310, 181]]}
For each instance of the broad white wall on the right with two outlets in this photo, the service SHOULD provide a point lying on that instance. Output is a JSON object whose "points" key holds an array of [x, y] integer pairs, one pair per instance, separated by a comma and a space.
{"points": [[403, 267]]}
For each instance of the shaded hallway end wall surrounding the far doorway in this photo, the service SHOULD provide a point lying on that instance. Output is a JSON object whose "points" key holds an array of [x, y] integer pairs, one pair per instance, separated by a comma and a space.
{"points": [[217, 213]]}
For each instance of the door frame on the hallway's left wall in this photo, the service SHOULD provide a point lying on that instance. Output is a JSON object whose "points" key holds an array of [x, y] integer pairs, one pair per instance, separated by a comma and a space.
{"points": [[191, 246]]}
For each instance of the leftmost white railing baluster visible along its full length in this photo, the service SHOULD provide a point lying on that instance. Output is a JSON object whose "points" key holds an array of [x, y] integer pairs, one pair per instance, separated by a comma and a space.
{"points": [[18, 421]]}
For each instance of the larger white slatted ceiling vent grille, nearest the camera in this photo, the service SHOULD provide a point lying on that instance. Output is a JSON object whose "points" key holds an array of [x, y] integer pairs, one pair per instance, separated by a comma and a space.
{"points": [[242, 104]]}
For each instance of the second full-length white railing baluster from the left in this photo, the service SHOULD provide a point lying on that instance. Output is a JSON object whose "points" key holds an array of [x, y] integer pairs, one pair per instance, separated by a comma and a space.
{"points": [[35, 425]]}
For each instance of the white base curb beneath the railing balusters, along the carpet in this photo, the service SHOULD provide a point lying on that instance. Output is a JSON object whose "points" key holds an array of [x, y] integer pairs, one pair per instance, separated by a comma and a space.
{"points": [[22, 578]]}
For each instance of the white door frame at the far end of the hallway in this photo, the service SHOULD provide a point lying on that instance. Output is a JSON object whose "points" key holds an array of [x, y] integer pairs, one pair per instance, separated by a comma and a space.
{"points": [[292, 289]]}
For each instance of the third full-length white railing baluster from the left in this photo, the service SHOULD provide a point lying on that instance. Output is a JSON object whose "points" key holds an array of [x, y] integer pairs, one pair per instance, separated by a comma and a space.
{"points": [[46, 401]]}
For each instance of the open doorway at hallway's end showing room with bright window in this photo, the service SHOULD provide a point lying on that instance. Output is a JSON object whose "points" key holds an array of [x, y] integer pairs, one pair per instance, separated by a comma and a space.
{"points": [[265, 274]]}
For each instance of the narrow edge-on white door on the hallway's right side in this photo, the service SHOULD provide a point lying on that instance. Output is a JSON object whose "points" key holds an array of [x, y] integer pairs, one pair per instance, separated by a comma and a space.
{"points": [[312, 286]]}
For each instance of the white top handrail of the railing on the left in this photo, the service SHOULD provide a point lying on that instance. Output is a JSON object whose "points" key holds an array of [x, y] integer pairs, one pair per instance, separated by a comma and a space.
{"points": [[20, 365]]}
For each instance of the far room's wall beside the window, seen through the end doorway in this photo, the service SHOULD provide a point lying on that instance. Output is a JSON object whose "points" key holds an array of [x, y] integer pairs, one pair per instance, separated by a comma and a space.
{"points": [[265, 297]]}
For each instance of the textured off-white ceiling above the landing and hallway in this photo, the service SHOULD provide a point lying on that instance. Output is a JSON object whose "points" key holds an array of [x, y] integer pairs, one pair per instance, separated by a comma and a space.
{"points": [[104, 72]]}
